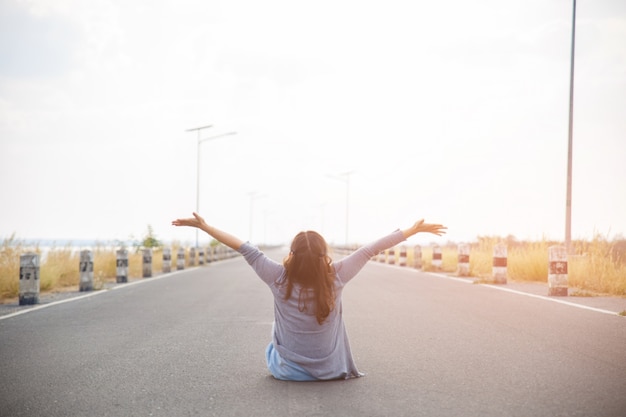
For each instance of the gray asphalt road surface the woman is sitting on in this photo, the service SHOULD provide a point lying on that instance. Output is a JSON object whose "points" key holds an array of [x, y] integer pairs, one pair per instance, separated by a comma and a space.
{"points": [[192, 343]]}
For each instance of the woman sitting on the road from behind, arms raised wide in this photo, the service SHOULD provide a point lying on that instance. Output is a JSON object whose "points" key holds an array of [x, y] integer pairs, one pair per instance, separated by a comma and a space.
{"points": [[309, 339]]}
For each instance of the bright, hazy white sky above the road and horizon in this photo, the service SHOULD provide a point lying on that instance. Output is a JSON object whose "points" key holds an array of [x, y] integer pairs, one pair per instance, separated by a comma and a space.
{"points": [[352, 118]]}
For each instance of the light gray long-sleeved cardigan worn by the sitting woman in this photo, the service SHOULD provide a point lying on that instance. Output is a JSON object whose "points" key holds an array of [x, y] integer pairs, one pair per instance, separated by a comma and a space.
{"points": [[322, 350]]}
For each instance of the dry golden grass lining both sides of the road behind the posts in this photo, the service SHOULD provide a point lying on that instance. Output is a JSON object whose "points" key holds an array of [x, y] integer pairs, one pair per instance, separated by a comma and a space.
{"points": [[598, 266]]}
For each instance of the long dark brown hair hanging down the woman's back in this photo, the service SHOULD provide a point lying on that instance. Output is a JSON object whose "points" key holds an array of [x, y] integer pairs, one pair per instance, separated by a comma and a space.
{"points": [[309, 266]]}
